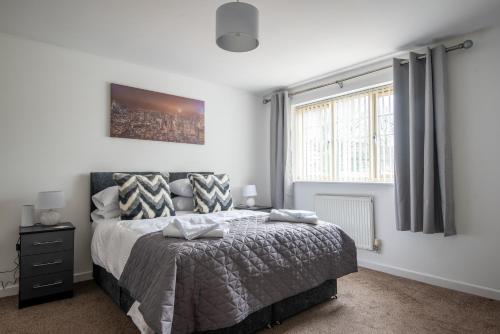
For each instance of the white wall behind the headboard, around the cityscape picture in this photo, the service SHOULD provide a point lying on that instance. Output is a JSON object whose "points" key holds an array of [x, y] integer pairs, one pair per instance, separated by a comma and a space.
{"points": [[54, 107]]}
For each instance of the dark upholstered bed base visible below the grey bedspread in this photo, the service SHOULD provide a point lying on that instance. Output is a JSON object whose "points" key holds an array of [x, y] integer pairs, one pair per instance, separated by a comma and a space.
{"points": [[272, 314]]}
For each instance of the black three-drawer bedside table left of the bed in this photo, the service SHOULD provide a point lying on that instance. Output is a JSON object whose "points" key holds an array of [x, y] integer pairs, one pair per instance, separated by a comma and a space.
{"points": [[45, 263]]}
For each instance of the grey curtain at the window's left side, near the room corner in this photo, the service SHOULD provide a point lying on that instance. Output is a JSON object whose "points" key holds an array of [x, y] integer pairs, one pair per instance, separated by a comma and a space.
{"points": [[281, 183]]}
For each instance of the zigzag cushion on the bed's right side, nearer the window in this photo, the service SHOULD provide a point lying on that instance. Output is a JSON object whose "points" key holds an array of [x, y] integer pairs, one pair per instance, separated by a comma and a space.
{"points": [[211, 193]]}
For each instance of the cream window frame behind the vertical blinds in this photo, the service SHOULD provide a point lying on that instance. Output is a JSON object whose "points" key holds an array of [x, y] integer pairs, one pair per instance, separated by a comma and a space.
{"points": [[373, 137]]}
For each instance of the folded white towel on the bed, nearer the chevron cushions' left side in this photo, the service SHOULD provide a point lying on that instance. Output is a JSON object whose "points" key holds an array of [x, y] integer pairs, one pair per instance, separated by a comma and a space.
{"points": [[190, 228]]}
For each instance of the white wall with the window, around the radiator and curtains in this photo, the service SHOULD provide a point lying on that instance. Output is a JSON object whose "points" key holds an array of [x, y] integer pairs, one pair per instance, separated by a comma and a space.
{"points": [[469, 261]]}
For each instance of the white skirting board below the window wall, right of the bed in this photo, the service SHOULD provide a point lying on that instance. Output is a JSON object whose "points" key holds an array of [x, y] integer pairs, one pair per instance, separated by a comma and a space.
{"points": [[473, 289]]}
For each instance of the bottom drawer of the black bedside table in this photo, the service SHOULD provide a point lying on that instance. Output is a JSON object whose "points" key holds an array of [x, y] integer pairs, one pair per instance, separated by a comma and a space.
{"points": [[39, 286]]}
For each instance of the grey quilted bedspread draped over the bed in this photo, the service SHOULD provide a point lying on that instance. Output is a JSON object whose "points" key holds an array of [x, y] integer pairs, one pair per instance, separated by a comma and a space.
{"points": [[186, 286]]}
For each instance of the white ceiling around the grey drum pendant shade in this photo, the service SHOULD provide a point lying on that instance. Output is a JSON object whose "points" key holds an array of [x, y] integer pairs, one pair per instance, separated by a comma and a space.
{"points": [[298, 39]]}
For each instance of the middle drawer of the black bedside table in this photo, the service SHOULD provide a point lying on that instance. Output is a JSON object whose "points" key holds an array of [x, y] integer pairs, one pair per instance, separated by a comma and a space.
{"points": [[34, 265]]}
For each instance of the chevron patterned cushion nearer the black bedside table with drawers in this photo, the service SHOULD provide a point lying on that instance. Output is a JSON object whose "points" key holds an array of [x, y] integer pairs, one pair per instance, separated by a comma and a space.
{"points": [[144, 196]]}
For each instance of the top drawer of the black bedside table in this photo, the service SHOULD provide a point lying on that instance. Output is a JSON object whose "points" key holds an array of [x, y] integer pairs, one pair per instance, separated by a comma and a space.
{"points": [[39, 243]]}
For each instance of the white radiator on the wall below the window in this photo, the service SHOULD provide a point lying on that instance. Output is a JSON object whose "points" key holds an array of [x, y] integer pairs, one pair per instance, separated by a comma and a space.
{"points": [[354, 214]]}
